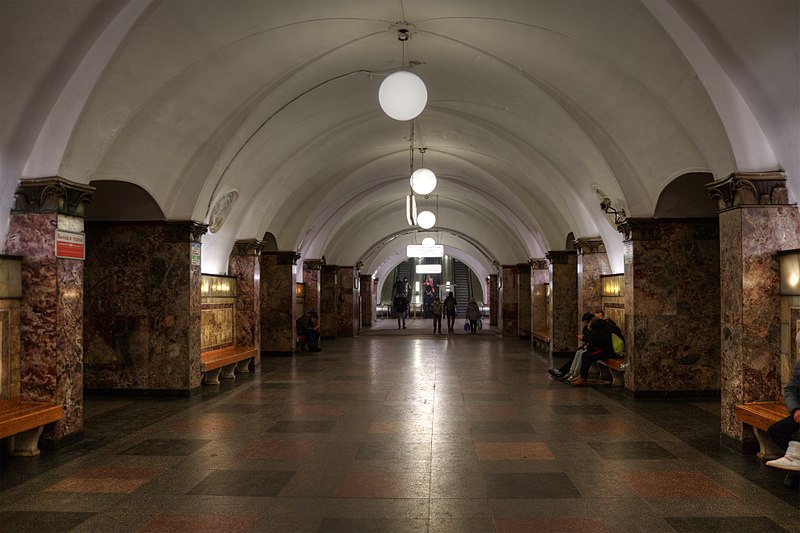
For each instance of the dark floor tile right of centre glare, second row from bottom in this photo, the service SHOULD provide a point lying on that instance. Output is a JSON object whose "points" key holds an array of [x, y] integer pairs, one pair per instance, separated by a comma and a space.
{"points": [[530, 486]]}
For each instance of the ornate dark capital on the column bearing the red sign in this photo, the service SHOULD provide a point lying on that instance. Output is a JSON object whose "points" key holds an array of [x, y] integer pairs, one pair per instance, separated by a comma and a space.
{"points": [[52, 195]]}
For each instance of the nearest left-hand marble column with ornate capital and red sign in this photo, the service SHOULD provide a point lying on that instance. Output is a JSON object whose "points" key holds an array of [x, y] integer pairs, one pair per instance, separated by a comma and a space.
{"points": [[47, 211]]}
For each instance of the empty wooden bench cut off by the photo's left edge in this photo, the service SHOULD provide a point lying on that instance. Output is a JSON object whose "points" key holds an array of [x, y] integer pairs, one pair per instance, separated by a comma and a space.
{"points": [[22, 423]]}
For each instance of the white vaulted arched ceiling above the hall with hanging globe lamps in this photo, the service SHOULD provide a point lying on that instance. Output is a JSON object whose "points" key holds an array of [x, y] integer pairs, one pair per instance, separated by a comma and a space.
{"points": [[532, 107]]}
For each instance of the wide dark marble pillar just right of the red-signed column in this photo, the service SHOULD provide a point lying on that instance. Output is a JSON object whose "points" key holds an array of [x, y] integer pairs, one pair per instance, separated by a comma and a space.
{"points": [[142, 314]]}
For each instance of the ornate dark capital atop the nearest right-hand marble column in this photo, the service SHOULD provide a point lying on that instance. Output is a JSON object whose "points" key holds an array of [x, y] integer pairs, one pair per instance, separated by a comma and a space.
{"points": [[749, 189]]}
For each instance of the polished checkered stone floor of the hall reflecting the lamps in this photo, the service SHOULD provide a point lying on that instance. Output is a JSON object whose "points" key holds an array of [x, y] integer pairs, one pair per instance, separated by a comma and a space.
{"points": [[398, 430]]}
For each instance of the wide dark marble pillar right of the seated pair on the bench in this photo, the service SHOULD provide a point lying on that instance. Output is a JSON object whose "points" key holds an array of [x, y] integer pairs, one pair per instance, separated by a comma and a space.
{"points": [[671, 297]]}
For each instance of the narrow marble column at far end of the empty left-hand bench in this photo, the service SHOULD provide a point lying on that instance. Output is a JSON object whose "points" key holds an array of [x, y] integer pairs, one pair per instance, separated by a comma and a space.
{"points": [[245, 265]]}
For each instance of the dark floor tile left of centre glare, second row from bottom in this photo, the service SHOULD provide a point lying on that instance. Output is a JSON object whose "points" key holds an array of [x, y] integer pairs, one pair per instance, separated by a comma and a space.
{"points": [[242, 483]]}
